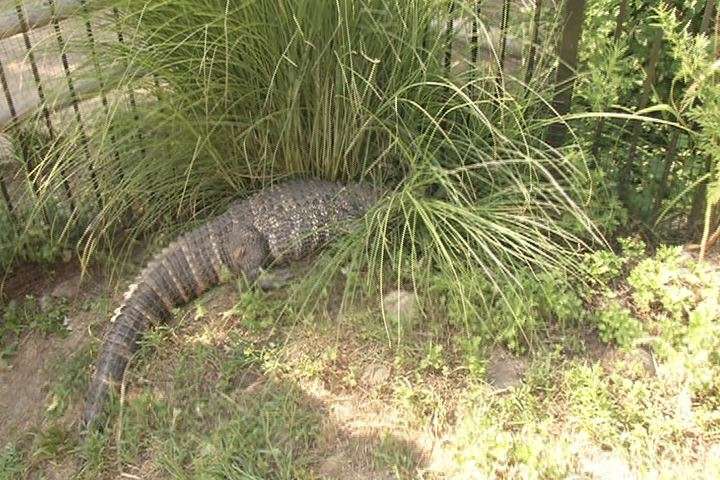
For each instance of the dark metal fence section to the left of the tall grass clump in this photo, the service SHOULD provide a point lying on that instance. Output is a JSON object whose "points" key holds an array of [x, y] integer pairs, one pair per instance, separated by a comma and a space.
{"points": [[38, 63]]}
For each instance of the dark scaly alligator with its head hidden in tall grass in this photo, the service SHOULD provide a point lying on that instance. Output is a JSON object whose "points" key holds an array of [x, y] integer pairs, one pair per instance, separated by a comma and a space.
{"points": [[277, 225]]}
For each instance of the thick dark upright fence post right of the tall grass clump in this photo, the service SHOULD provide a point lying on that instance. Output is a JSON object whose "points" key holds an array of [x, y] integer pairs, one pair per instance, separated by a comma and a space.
{"points": [[573, 17]]}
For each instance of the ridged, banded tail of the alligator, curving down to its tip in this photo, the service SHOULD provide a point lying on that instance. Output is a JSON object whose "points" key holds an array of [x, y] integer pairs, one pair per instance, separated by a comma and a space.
{"points": [[179, 274]]}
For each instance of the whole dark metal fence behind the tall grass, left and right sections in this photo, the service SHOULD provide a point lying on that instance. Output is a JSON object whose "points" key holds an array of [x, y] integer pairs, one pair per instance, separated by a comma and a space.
{"points": [[522, 38]]}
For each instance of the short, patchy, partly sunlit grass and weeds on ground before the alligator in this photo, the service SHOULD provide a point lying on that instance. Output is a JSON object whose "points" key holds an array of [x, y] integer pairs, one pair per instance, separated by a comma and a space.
{"points": [[226, 398]]}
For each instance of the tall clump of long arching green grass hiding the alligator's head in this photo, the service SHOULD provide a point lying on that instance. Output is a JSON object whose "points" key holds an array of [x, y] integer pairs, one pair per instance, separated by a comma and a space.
{"points": [[344, 91]]}
